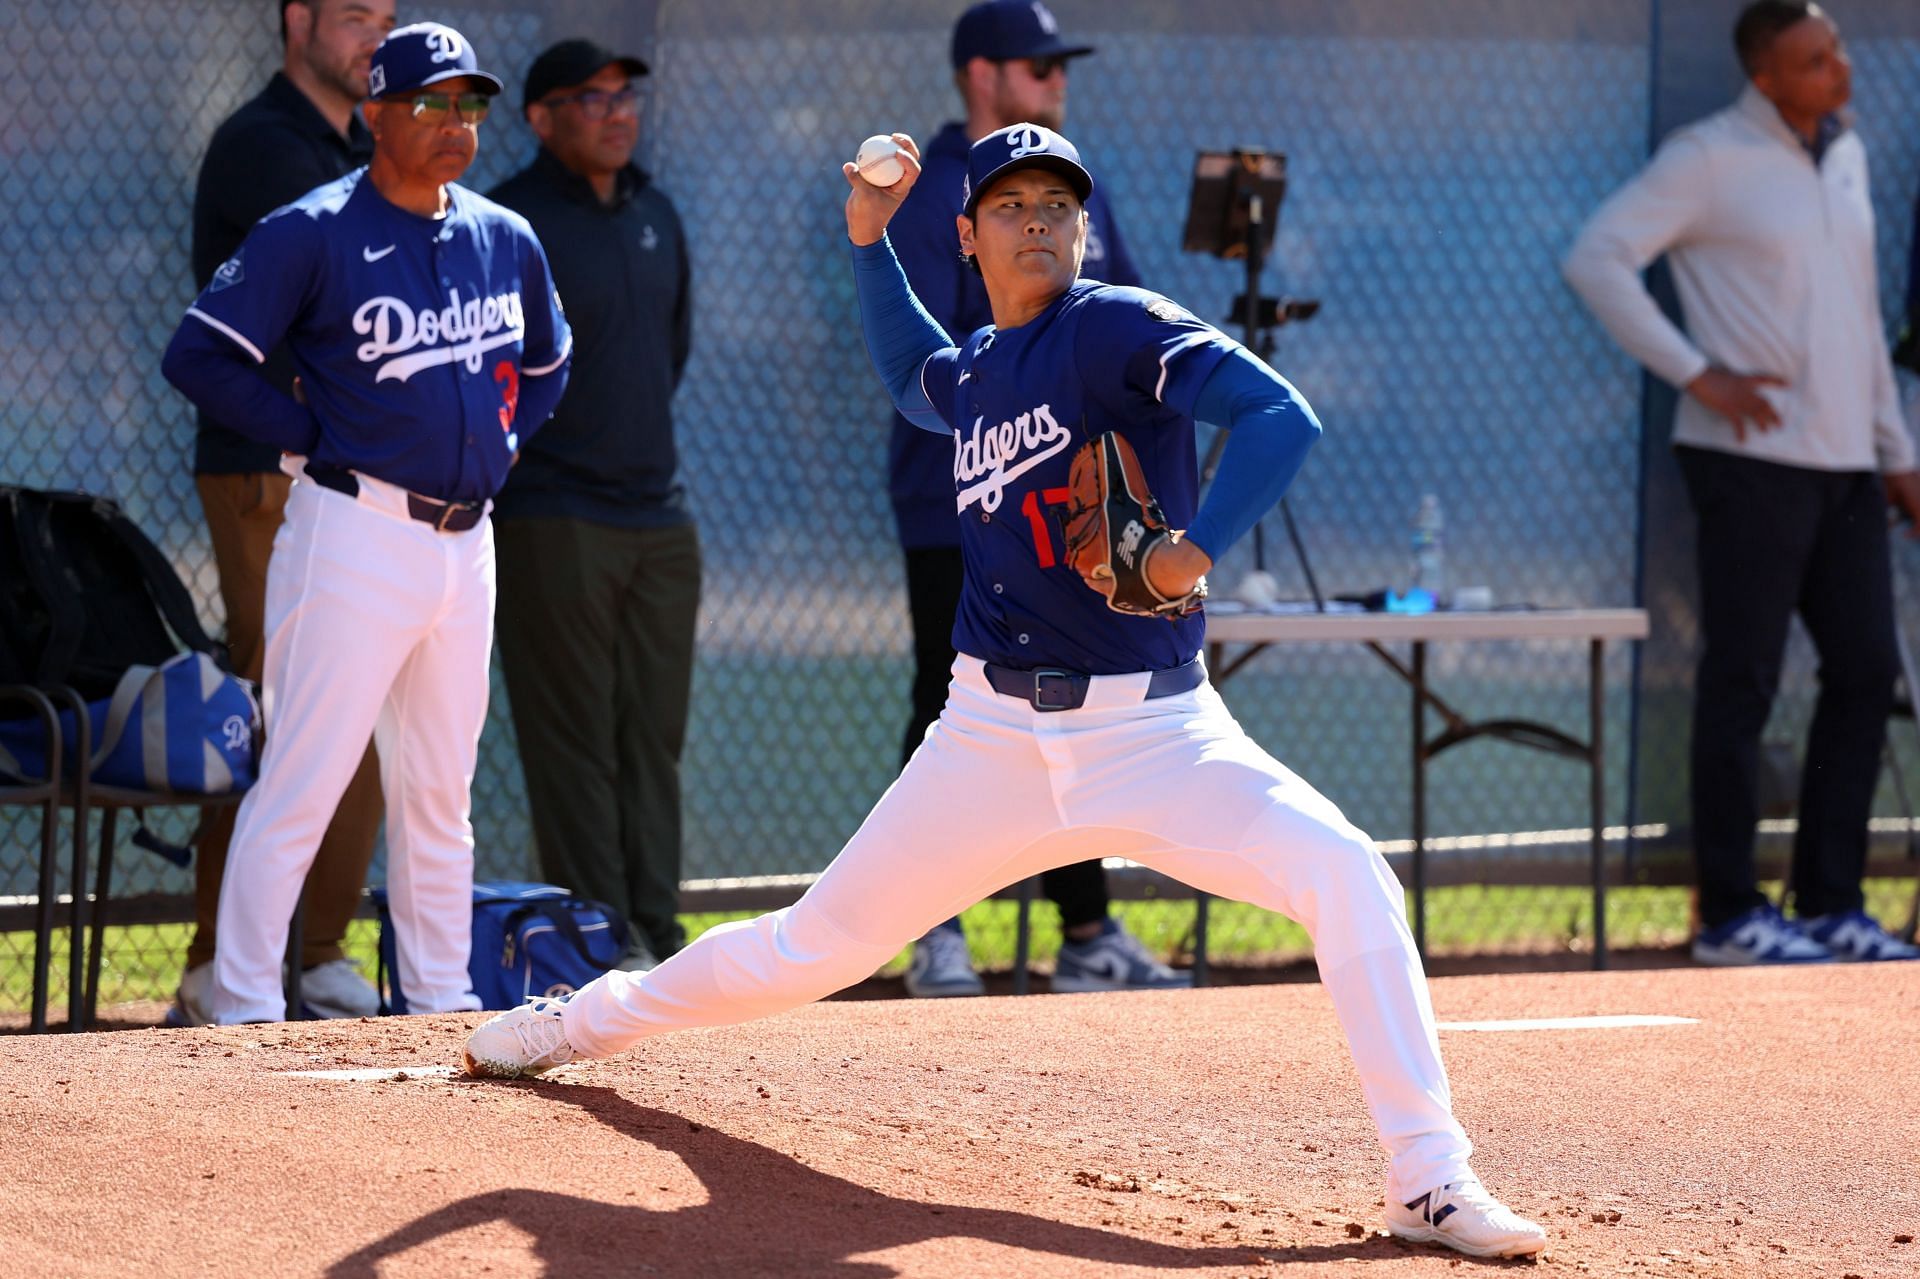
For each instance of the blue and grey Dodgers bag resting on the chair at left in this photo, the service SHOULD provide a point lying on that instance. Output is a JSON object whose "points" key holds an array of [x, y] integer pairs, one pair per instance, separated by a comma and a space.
{"points": [[181, 729]]}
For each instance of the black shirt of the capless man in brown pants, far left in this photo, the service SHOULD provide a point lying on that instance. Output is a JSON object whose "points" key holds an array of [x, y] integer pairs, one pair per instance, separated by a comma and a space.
{"points": [[270, 153]]}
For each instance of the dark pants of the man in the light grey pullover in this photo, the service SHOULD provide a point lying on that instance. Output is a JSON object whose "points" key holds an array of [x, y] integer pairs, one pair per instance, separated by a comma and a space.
{"points": [[1773, 543]]}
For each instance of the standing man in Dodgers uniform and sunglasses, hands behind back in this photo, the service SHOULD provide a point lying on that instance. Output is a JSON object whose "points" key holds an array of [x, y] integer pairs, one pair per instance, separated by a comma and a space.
{"points": [[429, 345]]}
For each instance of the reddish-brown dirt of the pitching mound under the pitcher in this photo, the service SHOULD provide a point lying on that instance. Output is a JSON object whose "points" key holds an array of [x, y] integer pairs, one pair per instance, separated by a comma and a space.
{"points": [[1214, 1132]]}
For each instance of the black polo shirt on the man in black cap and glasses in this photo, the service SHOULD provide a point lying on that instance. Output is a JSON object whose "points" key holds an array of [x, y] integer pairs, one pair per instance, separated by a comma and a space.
{"points": [[623, 276]]}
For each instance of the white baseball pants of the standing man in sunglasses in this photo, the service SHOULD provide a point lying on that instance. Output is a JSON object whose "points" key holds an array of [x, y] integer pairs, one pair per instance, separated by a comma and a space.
{"points": [[377, 627]]}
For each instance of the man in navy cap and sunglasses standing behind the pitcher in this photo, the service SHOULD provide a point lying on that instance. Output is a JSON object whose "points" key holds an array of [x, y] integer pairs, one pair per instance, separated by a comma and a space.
{"points": [[1011, 66]]}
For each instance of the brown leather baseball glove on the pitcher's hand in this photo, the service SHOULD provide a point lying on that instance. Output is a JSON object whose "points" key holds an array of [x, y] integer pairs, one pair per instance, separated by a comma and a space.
{"points": [[1115, 525]]}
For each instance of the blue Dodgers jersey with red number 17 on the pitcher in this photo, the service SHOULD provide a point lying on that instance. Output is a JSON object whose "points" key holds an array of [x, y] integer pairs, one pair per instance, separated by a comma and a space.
{"points": [[1020, 404]]}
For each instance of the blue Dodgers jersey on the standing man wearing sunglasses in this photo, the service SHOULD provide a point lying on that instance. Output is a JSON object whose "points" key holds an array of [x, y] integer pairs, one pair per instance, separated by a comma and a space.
{"points": [[410, 333]]}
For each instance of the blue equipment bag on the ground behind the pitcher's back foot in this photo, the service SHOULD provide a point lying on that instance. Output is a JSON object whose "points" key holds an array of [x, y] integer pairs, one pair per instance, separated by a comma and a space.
{"points": [[531, 940]]}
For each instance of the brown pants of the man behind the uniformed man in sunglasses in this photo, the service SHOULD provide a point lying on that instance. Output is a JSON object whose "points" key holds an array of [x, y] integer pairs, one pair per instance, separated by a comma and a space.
{"points": [[245, 514]]}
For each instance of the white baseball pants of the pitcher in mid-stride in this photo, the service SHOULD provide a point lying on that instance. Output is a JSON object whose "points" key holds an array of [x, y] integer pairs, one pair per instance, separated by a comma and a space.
{"points": [[999, 792]]}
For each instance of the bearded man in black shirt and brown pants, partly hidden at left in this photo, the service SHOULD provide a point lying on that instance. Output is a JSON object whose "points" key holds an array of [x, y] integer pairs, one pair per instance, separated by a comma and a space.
{"points": [[299, 133]]}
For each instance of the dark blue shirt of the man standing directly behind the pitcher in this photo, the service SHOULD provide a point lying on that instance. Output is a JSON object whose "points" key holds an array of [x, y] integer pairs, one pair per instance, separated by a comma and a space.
{"points": [[928, 247]]}
